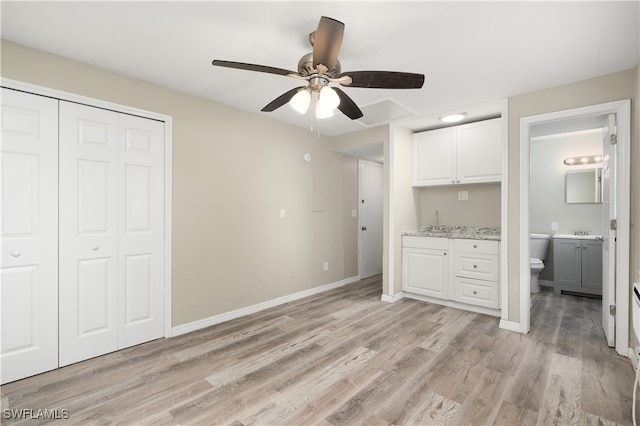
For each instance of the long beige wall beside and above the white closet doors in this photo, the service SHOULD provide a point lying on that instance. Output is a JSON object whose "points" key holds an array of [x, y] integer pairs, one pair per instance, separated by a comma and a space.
{"points": [[232, 173]]}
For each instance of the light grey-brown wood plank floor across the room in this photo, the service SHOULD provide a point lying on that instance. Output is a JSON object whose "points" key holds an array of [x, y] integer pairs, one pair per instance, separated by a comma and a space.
{"points": [[345, 358]]}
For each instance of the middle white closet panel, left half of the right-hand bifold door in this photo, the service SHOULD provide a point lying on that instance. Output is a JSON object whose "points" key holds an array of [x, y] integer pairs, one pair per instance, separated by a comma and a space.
{"points": [[88, 232]]}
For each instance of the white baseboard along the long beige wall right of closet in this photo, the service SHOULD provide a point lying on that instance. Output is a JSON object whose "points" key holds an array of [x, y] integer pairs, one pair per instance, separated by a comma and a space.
{"points": [[217, 319]]}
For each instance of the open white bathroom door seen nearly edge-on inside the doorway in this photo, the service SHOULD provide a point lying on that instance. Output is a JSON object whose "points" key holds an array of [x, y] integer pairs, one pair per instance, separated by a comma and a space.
{"points": [[609, 206]]}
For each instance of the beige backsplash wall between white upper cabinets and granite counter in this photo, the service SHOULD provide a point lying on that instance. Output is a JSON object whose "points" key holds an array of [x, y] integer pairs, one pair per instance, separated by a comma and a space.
{"points": [[481, 209]]}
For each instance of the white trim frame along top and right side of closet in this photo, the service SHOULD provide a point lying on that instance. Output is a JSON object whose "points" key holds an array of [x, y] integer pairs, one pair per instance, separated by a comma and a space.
{"points": [[168, 148]]}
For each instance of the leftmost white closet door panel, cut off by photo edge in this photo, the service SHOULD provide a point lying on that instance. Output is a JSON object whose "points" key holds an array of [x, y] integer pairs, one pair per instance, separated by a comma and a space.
{"points": [[29, 270]]}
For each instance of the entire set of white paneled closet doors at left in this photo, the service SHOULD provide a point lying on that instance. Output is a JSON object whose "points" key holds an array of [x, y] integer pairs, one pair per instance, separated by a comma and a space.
{"points": [[83, 232]]}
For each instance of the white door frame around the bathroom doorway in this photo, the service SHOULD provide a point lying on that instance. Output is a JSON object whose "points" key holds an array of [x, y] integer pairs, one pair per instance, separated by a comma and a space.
{"points": [[622, 109]]}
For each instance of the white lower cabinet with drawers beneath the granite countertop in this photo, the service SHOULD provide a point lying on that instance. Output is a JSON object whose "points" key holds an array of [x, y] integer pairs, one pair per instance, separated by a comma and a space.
{"points": [[458, 272]]}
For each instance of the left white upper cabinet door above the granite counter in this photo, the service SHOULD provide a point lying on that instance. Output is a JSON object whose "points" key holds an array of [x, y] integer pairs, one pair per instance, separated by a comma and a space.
{"points": [[433, 157]]}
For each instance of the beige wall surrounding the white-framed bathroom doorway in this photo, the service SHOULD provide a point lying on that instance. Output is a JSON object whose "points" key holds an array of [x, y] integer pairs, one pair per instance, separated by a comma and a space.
{"points": [[612, 87]]}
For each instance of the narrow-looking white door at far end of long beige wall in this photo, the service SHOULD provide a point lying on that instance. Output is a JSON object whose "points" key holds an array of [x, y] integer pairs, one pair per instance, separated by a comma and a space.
{"points": [[370, 189]]}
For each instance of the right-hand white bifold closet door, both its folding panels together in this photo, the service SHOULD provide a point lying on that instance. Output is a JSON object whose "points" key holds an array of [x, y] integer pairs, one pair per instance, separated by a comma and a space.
{"points": [[111, 231]]}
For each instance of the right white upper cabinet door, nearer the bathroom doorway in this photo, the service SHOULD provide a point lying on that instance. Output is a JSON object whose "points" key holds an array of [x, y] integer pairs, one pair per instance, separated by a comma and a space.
{"points": [[479, 152]]}
